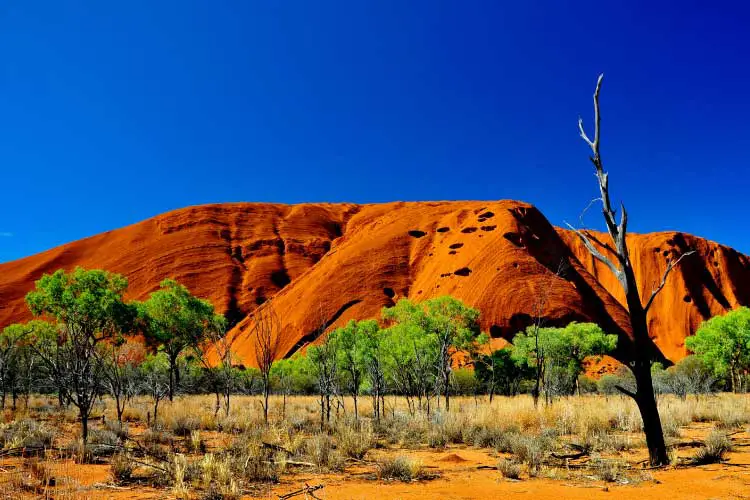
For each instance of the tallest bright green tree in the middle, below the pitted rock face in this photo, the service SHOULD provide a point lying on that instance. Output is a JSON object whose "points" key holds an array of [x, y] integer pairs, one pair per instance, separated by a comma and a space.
{"points": [[447, 322]]}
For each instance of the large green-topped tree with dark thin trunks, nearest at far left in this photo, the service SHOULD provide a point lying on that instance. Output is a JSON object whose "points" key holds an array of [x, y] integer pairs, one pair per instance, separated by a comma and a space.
{"points": [[88, 306]]}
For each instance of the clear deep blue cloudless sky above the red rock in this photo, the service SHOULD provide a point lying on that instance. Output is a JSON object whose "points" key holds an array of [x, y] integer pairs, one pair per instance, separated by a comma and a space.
{"points": [[115, 111]]}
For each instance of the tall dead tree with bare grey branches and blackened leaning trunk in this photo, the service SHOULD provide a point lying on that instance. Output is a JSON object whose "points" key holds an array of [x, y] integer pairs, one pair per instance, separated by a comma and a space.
{"points": [[641, 351]]}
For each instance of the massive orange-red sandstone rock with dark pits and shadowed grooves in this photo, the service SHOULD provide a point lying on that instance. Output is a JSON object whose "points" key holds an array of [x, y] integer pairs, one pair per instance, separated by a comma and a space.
{"points": [[329, 263]]}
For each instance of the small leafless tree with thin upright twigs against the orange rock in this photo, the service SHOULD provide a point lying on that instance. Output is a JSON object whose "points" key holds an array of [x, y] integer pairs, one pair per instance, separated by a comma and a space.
{"points": [[265, 329]]}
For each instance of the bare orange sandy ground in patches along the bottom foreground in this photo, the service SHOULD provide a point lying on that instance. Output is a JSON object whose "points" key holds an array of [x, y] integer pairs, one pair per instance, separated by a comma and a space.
{"points": [[460, 474]]}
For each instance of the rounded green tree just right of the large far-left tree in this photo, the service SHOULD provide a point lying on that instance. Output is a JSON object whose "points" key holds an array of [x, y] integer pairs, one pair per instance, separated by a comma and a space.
{"points": [[177, 320]]}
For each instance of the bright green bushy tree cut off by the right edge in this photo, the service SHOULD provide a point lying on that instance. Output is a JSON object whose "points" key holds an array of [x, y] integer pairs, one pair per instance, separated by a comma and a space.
{"points": [[723, 344]]}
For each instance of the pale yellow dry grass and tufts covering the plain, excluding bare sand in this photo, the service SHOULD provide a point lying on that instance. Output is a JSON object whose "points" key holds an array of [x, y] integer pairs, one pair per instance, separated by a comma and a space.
{"points": [[191, 452]]}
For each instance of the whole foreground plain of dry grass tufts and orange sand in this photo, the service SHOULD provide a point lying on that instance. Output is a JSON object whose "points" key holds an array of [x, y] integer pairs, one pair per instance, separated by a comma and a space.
{"points": [[579, 445]]}
